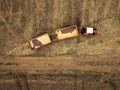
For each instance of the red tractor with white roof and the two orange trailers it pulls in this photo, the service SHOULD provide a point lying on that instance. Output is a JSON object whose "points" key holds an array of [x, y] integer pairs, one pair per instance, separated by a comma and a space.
{"points": [[61, 34]]}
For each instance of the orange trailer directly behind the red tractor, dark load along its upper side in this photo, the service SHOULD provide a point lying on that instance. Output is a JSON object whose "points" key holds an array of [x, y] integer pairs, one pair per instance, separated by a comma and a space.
{"points": [[67, 32]]}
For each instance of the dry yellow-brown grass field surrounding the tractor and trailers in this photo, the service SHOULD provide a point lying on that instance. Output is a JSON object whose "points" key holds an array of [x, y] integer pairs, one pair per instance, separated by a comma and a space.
{"points": [[22, 19]]}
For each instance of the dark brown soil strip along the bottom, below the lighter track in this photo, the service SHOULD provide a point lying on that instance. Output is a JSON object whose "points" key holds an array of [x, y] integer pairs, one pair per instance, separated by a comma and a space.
{"points": [[60, 80]]}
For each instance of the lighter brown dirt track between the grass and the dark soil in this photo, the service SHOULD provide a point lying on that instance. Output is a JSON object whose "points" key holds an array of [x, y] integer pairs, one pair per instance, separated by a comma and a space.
{"points": [[61, 63]]}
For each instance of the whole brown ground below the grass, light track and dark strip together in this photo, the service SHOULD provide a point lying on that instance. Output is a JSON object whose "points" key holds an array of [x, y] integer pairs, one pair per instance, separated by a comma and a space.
{"points": [[60, 73]]}
